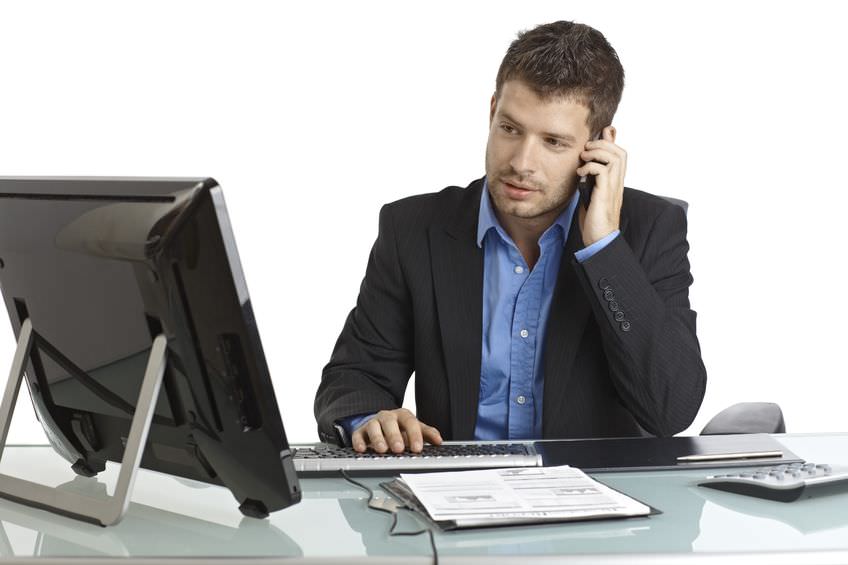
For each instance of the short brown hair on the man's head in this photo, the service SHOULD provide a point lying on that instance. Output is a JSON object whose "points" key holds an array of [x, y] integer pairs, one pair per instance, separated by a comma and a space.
{"points": [[569, 60]]}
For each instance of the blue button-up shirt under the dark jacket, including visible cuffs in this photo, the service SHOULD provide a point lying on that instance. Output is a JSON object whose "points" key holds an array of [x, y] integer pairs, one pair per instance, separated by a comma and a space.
{"points": [[516, 305]]}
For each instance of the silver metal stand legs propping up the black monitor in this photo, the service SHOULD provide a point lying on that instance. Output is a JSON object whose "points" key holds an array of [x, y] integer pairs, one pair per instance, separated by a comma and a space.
{"points": [[100, 511]]}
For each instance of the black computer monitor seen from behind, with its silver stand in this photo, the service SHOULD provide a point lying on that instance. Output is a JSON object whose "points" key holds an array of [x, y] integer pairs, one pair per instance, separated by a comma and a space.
{"points": [[113, 287]]}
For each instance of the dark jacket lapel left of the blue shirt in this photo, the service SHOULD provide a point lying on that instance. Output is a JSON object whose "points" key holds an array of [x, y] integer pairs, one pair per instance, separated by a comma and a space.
{"points": [[458, 283]]}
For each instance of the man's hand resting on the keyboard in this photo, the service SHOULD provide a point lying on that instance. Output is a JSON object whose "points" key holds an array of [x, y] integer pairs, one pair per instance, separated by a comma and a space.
{"points": [[394, 430]]}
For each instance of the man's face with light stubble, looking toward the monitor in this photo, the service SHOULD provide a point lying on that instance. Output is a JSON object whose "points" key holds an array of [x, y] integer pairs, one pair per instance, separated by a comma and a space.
{"points": [[533, 153]]}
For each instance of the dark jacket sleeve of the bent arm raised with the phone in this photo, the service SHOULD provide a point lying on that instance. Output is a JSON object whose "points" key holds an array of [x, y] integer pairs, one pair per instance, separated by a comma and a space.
{"points": [[647, 327]]}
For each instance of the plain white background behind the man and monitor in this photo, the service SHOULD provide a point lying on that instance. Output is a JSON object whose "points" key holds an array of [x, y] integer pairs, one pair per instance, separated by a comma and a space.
{"points": [[313, 115]]}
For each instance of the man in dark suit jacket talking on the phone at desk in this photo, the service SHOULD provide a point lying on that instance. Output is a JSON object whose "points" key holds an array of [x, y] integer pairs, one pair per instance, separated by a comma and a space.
{"points": [[524, 312]]}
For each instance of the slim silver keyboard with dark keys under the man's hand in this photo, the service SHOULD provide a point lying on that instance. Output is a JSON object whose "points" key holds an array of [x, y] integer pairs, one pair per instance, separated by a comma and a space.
{"points": [[323, 459]]}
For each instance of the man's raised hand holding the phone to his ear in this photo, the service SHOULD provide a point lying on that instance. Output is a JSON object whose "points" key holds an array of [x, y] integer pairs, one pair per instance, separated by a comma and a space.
{"points": [[608, 163]]}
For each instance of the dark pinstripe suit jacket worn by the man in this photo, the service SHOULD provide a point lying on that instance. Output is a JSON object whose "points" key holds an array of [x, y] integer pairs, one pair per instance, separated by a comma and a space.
{"points": [[621, 354]]}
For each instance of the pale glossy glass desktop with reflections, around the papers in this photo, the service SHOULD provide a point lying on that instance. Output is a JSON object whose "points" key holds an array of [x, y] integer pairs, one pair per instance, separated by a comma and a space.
{"points": [[172, 518]]}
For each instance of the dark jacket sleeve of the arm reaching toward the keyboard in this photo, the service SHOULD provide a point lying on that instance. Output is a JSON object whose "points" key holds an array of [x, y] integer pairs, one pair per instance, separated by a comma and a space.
{"points": [[373, 357]]}
